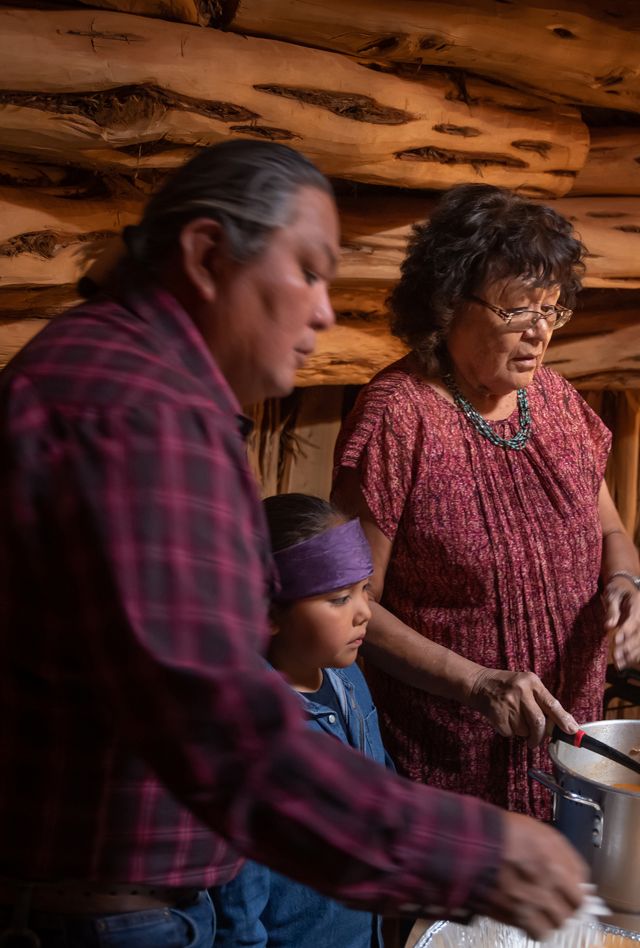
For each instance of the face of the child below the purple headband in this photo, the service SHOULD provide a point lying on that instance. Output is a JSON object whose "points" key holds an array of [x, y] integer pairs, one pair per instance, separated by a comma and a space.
{"points": [[319, 632]]}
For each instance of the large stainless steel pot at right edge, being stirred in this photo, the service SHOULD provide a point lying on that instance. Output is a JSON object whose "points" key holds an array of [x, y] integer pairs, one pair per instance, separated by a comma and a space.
{"points": [[602, 822]]}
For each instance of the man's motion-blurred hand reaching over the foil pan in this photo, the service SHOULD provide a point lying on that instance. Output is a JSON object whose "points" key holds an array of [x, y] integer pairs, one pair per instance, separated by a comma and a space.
{"points": [[539, 880]]}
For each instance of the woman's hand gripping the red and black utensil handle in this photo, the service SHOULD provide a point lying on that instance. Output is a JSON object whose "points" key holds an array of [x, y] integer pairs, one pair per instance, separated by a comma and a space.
{"points": [[518, 705]]}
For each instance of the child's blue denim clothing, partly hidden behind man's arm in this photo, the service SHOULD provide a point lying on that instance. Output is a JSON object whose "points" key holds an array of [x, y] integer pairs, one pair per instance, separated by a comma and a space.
{"points": [[260, 907]]}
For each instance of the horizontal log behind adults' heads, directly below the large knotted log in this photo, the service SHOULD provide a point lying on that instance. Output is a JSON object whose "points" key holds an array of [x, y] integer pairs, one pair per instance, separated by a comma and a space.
{"points": [[48, 241]]}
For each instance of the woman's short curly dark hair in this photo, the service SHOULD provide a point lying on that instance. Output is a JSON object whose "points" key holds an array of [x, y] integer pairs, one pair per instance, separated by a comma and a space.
{"points": [[478, 233]]}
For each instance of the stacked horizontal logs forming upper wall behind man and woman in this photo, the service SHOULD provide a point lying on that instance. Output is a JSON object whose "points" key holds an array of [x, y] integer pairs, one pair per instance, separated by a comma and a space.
{"points": [[96, 105]]}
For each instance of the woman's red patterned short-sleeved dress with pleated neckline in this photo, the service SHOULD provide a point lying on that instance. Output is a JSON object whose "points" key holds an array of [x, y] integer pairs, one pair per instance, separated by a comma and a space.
{"points": [[496, 554]]}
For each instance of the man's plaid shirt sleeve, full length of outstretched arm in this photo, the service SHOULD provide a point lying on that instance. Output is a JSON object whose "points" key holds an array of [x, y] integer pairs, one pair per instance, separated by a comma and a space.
{"points": [[157, 529]]}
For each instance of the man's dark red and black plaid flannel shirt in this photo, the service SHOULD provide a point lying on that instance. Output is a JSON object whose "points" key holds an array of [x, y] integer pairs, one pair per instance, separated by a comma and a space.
{"points": [[142, 736]]}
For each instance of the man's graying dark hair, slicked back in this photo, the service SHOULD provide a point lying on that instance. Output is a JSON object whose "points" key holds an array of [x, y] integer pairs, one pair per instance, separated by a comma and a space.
{"points": [[245, 185]]}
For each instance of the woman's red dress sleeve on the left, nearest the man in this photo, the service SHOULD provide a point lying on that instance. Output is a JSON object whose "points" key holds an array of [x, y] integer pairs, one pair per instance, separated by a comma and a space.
{"points": [[379, 439]]}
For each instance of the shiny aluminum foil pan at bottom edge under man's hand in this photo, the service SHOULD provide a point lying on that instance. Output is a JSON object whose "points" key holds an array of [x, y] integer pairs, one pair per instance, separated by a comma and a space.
{"points": [[485, 933]]}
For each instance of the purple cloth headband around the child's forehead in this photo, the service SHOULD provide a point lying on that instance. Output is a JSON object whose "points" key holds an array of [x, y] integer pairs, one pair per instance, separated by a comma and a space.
{"points": [[334, 559]]}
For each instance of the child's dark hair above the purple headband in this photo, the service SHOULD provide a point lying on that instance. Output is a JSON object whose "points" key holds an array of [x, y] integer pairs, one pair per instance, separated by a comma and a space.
{"points": [[292, 518]]}
